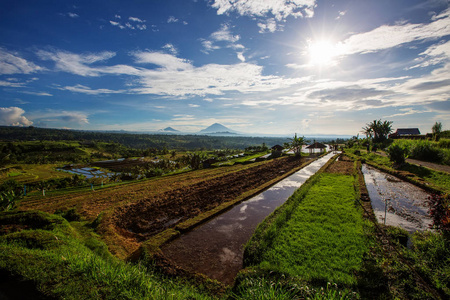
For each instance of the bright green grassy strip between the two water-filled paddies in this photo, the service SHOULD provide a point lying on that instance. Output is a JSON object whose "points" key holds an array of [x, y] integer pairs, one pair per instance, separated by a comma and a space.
{"points": [[321, 239]]}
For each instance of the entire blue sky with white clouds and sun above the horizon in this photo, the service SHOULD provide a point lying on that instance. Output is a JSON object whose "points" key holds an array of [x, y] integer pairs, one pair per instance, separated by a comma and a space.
{"points": [[256, 66]]}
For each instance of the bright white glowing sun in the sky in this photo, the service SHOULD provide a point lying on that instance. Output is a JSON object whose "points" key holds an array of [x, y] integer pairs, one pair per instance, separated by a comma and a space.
{"points": [[322, 53]]}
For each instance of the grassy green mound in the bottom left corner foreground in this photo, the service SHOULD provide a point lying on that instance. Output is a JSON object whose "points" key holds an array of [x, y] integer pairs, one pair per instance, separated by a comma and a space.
{"points": [[67, 260]]}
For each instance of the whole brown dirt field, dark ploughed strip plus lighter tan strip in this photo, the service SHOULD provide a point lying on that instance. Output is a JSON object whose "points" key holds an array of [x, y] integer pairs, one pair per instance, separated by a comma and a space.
{"points": [[135, 211]]}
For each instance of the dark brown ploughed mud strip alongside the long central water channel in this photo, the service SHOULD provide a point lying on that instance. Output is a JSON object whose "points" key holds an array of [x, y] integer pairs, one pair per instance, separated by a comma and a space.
{"points": [[150, 216]]}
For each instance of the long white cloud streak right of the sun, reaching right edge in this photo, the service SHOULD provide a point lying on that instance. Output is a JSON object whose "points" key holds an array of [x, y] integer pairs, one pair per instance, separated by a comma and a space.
{"points": [[388, 36]]}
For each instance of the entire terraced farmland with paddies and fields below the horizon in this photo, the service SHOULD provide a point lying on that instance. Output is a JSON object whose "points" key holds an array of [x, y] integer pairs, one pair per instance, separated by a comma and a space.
{"points": [[133, 234]]}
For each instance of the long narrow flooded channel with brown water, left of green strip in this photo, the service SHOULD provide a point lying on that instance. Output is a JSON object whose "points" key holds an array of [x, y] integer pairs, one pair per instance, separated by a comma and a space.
{"points": [[216, 247]]}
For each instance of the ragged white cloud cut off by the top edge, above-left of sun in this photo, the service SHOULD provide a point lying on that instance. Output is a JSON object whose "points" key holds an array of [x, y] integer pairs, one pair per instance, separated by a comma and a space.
{"points": [[280, 9]]}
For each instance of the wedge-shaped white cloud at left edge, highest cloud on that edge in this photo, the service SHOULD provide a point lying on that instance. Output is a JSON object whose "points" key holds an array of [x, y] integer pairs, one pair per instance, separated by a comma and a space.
{"points": [[12, 63]]}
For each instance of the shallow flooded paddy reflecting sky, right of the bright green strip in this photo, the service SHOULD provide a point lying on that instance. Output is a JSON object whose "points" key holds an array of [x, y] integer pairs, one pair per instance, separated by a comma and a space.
{"points": [[396, 202]]}
